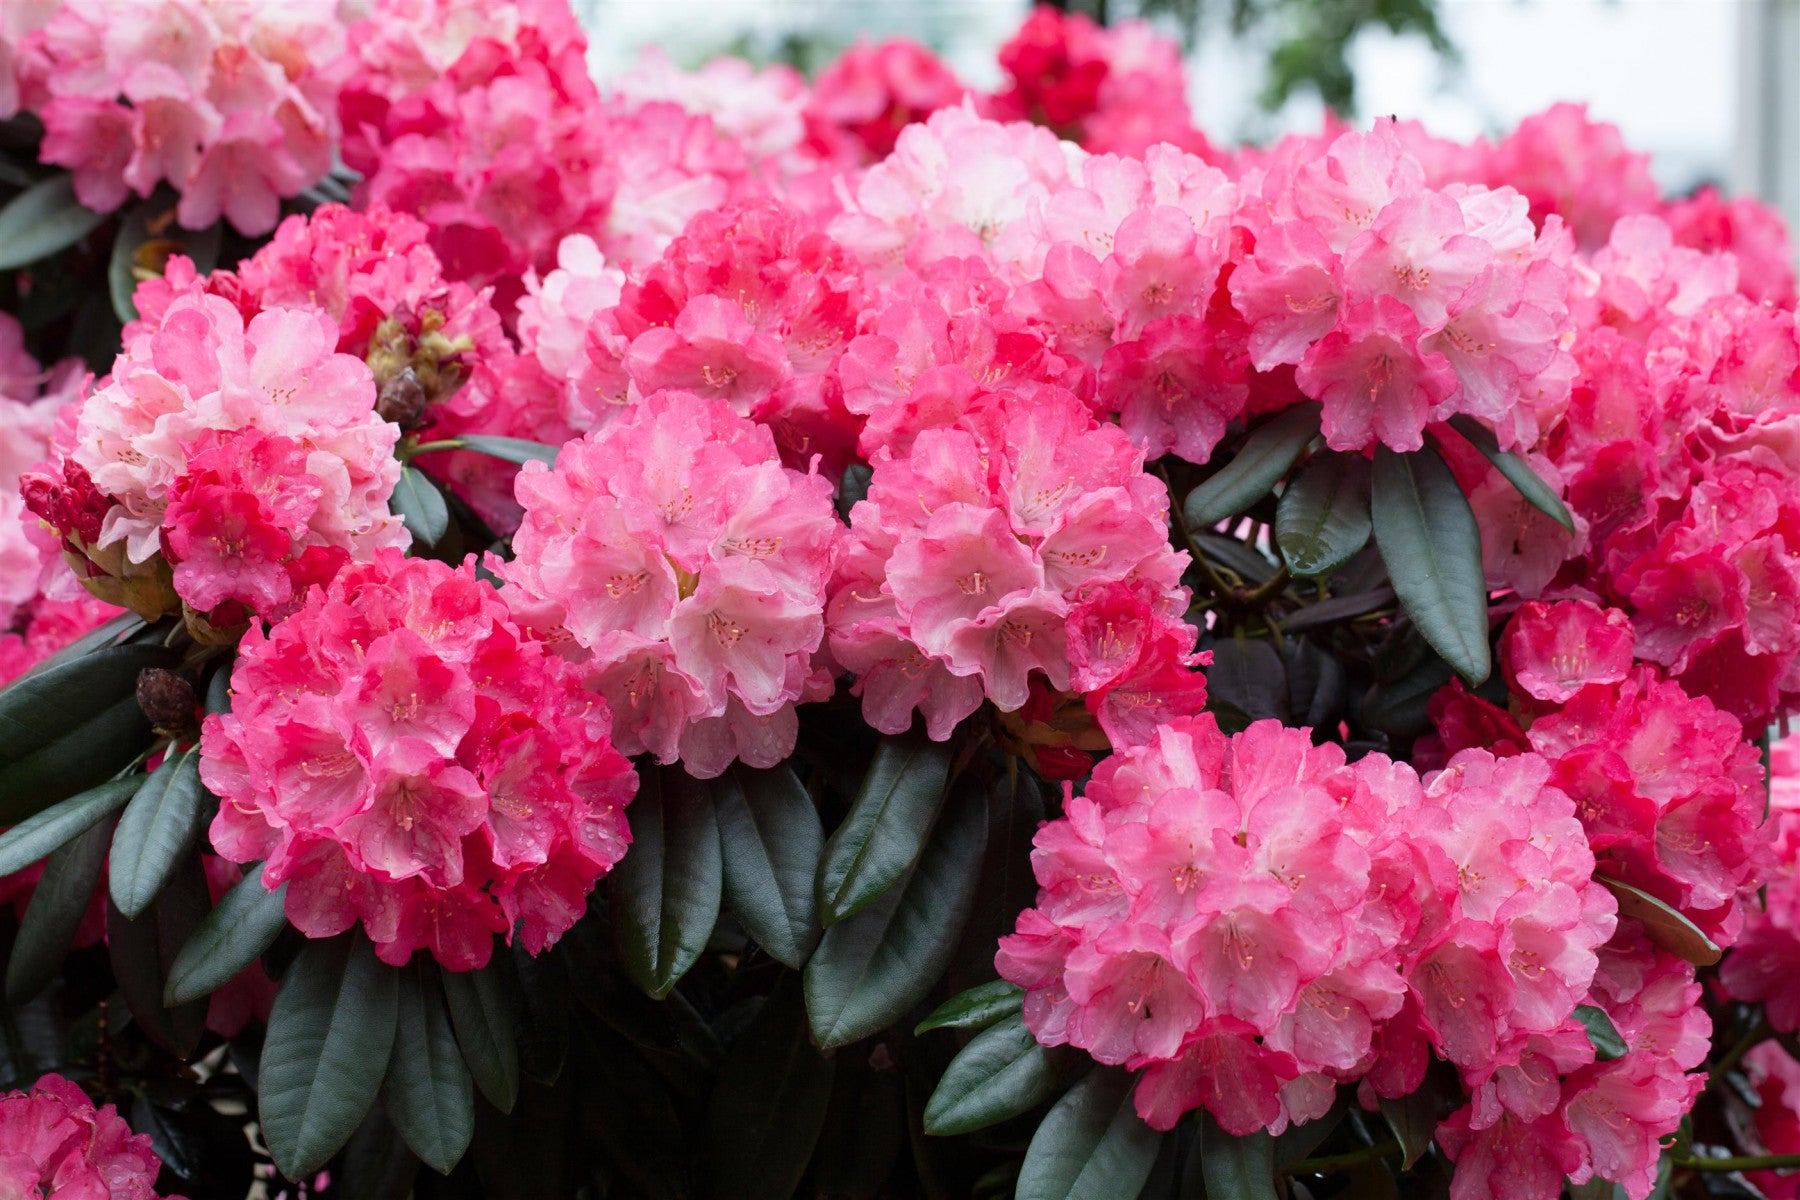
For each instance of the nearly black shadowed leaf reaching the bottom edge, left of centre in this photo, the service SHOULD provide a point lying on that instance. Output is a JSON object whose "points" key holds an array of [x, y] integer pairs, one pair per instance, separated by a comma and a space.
{"points": [[769, 1106]]}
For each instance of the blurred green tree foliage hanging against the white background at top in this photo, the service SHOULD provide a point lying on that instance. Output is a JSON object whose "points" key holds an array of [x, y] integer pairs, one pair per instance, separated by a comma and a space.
{"points": [[1311, 37]]}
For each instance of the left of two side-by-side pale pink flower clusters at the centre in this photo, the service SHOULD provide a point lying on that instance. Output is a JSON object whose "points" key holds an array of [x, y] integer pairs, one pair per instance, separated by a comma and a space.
{"points": [[685, 569]]}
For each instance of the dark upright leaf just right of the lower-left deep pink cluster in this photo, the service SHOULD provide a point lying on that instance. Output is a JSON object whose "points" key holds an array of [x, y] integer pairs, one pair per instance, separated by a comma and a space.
{"points": [[665, 893]]}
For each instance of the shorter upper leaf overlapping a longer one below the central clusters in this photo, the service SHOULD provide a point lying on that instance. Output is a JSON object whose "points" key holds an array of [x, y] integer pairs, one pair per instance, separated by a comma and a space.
{"points": [[886, 827]]}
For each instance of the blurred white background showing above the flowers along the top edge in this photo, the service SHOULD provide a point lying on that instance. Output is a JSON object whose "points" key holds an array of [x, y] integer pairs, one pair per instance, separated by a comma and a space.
{"points": [[1711, 89]]}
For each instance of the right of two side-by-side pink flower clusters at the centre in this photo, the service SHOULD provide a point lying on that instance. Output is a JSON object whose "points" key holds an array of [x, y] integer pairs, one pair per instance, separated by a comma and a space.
{"points": [[1027, 539]]}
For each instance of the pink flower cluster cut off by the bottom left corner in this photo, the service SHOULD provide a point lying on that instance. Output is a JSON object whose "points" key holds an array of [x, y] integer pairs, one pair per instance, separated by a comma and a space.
{"points": [[57, 1143]]}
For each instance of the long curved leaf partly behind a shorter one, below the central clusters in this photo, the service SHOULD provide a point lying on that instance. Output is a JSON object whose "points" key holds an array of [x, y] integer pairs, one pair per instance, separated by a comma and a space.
{"points": [[872, 969]]}
